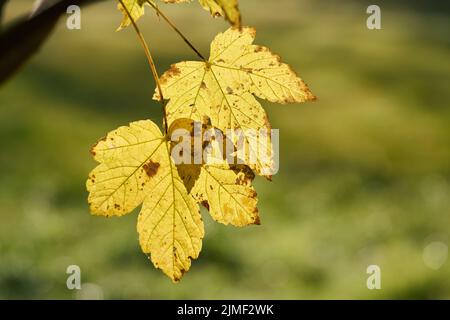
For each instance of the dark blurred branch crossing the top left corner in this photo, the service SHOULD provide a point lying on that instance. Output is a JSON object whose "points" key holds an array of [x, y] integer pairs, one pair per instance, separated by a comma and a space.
{"points": [[23, 38]]}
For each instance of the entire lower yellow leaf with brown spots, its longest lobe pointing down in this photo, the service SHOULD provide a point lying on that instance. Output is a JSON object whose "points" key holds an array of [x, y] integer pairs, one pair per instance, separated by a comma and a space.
{"points": [[136, 167]]}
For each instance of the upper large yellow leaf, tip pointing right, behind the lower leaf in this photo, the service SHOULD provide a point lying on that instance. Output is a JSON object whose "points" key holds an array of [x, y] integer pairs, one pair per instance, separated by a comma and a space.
{"points": [[224, 89]]}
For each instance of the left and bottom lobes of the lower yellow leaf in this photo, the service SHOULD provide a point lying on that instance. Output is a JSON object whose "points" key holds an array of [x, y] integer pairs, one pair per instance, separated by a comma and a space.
{"points": [[136, 167]]}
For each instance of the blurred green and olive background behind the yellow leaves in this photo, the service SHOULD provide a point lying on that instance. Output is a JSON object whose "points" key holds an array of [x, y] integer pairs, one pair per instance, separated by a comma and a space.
{"points": [[364, 176]]}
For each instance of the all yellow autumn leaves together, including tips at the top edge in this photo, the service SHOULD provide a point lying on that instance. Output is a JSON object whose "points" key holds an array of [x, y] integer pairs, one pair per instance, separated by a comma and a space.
{"points": [[136, 162]]}
